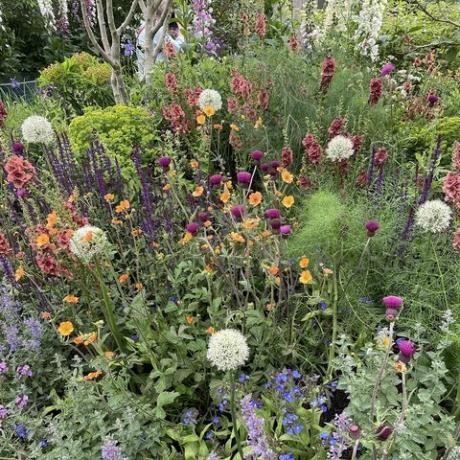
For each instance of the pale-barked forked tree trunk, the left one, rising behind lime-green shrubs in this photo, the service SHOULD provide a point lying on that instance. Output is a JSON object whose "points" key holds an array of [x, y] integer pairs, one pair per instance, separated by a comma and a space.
{"points": [[110, 46]]}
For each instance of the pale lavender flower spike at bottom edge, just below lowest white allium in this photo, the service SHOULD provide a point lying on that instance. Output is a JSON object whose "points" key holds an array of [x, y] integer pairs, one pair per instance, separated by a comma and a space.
{"points": [[257, 438]]}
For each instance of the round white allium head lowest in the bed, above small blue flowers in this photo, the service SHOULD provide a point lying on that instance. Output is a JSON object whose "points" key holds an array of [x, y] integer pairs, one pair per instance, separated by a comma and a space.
{"points": [[228, 350]]}
